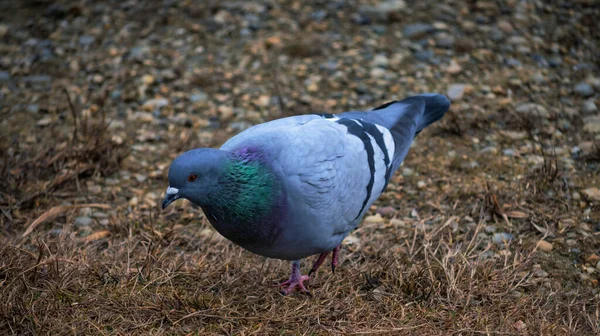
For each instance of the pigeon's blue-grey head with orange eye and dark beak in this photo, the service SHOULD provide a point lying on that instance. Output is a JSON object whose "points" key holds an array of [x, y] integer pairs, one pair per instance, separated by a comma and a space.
{"points": [[195, 174]]}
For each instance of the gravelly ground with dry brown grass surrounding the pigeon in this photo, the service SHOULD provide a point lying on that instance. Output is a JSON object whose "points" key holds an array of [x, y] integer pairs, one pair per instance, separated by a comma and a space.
{"points": [[491, 226]]}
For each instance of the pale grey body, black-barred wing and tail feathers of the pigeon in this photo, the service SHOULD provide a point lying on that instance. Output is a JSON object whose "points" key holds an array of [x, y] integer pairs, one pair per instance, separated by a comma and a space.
{"points": [[333, 167]]}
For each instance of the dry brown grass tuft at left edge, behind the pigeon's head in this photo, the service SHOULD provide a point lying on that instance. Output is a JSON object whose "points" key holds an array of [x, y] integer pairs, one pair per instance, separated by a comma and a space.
{"points": [[55, 157]]}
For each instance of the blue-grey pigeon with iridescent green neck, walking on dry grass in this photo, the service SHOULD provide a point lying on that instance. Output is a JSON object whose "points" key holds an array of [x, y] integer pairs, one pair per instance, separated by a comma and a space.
{"points": [[297, 186]]}
